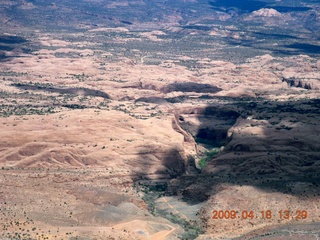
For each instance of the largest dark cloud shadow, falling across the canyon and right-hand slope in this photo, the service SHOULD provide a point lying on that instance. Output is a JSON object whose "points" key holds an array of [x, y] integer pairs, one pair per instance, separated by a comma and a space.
{"points": [[272, 160]]}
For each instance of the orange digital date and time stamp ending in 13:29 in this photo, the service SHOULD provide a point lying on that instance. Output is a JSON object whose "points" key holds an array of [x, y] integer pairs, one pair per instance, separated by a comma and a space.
{"points": [[265, 214]]}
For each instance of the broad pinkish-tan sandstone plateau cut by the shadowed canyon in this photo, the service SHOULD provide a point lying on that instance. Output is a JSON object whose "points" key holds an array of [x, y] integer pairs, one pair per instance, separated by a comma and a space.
{"points": [[84, 130]]}
